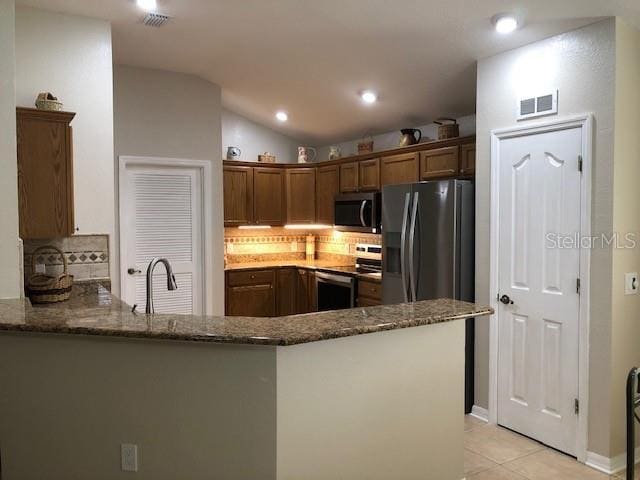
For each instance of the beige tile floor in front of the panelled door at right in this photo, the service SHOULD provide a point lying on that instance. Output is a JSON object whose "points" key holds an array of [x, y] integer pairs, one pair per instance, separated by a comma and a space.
{"points": [[495, 453]]}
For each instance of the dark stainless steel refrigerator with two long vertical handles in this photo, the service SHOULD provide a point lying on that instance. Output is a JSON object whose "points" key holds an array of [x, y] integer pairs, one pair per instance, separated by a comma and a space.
{"points": [[428, 232]]}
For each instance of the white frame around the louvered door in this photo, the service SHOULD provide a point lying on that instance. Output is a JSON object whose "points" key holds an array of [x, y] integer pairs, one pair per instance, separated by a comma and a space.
{"points": [[206, 177]]}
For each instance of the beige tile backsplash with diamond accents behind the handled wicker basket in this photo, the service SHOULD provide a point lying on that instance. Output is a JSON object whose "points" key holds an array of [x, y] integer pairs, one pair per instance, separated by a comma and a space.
{"points": [[87, 256]]}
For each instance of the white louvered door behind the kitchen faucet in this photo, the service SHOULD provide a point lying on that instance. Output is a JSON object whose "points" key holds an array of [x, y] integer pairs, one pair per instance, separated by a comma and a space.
{"points": [[161, 216]]}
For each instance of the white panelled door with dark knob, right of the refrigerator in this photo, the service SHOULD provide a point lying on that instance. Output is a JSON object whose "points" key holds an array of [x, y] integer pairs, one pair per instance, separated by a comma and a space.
{"points": [[538, 334]]}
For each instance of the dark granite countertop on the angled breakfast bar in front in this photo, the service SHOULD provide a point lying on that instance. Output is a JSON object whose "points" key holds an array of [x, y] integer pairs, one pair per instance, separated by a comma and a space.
{"points": [[94, 311]]}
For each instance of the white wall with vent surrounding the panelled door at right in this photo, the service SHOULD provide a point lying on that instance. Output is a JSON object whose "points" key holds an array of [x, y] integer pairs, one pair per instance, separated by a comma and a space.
{"points": [[581, 64]]}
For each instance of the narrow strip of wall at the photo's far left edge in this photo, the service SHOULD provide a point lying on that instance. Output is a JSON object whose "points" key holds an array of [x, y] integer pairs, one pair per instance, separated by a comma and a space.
{"points": [[10, 281]]}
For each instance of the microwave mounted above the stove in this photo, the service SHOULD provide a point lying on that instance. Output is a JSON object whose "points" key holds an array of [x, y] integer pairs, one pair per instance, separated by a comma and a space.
{"points": [[358, 212]]}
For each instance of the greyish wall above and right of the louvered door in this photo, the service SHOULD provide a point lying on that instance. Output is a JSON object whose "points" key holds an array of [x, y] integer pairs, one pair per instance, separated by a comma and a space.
{"points": [[185, 125]]}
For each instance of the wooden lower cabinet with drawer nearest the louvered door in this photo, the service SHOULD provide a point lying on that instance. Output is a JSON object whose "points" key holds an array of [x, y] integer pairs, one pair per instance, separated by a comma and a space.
{"points": [[251, 293]]}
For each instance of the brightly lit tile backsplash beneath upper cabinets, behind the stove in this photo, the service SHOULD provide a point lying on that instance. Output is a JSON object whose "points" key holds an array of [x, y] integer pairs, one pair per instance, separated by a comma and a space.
{"points": [[282, 244]]}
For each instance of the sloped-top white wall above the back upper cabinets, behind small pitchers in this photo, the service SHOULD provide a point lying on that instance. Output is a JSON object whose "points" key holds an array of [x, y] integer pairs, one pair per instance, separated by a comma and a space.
{"points": [[254, 139]]}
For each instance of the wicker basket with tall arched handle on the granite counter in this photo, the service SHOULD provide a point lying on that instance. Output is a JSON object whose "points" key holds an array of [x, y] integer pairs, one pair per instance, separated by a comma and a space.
{"points": [[42, 288]]}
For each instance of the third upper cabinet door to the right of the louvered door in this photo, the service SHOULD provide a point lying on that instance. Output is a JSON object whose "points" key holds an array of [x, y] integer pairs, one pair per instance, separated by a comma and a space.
{"points": [[301, 202]]}
